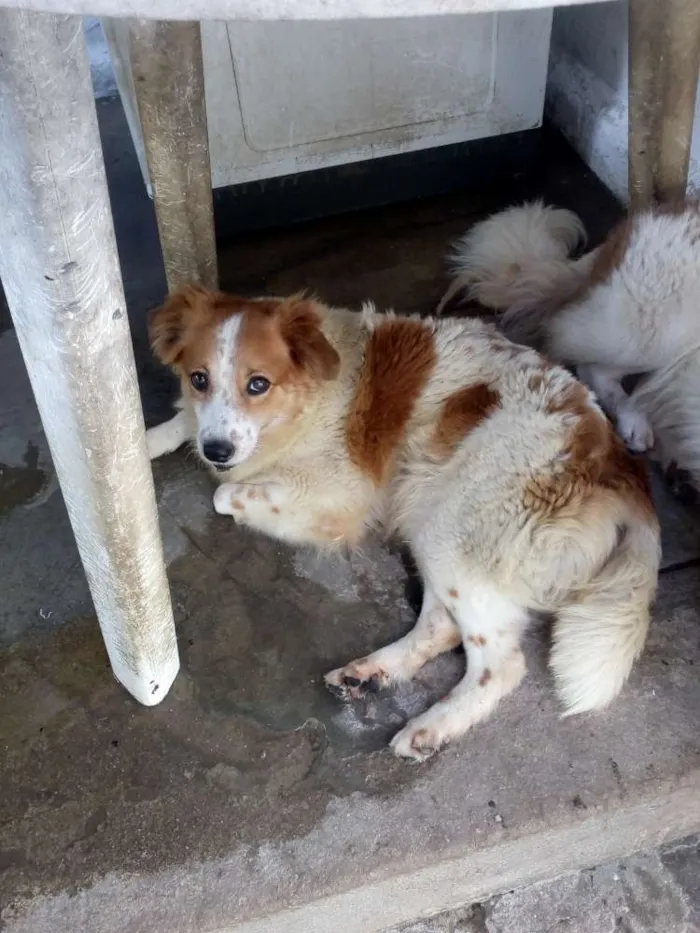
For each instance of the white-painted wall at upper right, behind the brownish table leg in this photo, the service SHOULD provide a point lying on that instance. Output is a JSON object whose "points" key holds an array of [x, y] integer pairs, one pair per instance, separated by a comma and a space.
{"points": [[587, 90]]}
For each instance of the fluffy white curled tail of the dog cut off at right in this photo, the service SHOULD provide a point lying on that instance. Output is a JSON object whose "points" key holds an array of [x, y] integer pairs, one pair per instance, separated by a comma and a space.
{"points": [[518, 261]]}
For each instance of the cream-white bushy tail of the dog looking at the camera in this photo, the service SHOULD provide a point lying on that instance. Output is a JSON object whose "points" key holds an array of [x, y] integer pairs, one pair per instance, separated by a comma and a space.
{"points": [[601, 629]]}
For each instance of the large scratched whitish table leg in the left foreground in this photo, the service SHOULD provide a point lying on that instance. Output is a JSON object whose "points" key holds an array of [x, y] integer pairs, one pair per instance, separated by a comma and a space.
{"points": [[59, 267]]}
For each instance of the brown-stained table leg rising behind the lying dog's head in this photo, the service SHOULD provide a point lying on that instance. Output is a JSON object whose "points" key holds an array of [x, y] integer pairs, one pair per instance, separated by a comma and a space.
{"points": [[166, 61]]}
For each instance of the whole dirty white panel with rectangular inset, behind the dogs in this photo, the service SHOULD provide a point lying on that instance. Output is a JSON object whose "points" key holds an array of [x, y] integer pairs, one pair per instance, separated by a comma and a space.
{"points": [[289, 97]]}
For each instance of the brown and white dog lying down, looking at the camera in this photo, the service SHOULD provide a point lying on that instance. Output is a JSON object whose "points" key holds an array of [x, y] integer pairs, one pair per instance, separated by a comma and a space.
{"points": [[496, 468]]}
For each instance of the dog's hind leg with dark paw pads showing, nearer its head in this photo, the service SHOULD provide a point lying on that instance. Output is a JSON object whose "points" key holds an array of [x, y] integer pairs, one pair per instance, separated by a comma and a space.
{"points": [[434, 632]]}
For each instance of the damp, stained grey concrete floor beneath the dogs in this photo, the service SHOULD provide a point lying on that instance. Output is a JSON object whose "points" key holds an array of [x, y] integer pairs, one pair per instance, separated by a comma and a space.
{"points": [[251, 800]]}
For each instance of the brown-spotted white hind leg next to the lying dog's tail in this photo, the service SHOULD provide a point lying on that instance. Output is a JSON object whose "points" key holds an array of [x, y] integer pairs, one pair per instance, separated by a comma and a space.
{"points": [[491, 626]]}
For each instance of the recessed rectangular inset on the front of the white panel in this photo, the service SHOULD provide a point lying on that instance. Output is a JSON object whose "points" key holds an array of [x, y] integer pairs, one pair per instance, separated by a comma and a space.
{"points": [[333, 80]]}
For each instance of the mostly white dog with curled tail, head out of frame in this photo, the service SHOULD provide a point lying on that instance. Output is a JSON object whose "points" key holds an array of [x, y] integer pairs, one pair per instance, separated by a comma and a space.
{"points": [[630, 307]]}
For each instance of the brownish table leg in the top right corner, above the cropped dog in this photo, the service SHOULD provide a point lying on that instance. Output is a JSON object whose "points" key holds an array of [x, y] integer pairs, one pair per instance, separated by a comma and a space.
{"points": [[664, 54]]}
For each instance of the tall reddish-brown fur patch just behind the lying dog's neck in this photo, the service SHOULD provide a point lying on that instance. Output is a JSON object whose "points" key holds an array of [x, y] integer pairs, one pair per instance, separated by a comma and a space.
{"points": [[399, 358]]}
